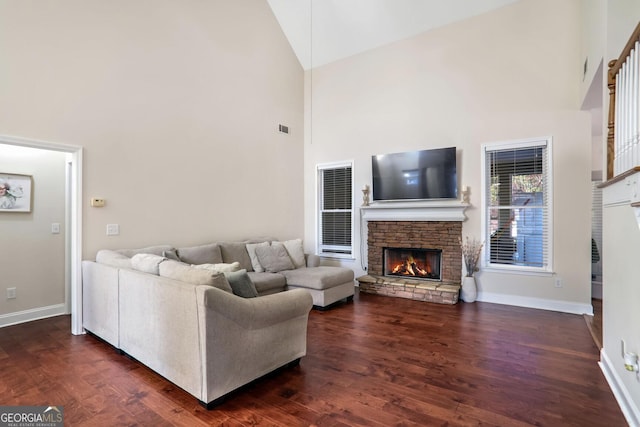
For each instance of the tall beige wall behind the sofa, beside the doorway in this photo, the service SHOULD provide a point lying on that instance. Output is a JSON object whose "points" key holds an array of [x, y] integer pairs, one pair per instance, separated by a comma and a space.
{"points": [[176, 104]]}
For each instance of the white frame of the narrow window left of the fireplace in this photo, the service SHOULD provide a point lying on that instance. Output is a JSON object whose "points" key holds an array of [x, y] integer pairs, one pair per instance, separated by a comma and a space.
{"points": [[320, 247]]}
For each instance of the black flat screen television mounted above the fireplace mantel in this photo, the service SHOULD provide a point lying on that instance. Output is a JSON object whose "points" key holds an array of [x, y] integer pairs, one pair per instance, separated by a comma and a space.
{"points": [[415, 175]]}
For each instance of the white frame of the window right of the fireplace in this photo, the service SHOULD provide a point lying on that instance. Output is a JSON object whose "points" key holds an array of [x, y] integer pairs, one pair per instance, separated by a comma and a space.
{"points": [[486, 195]]}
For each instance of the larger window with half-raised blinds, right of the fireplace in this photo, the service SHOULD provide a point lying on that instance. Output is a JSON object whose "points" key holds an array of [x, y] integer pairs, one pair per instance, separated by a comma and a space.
{"points": [[517, 205]]}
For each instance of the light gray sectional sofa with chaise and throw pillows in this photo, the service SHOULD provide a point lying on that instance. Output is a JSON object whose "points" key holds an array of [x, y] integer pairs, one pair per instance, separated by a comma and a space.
{"points": [[174, 310]]}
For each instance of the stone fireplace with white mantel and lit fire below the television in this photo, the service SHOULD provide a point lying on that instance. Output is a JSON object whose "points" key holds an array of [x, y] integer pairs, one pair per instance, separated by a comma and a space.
{"points": [[413, 251]]}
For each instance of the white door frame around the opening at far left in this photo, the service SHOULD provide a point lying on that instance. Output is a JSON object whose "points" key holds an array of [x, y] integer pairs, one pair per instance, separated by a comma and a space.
{"points": [[75, 227]]}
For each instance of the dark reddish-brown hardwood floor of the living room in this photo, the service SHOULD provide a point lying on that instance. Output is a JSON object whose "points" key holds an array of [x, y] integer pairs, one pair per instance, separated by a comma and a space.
{"points": [[379, 361]]}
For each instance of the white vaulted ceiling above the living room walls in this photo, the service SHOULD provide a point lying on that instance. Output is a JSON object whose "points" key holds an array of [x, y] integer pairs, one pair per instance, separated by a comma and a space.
{"points": [[323, 31]]}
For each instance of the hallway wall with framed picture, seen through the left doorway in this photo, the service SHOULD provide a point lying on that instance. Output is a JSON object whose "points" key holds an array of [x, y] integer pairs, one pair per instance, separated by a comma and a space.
{"points": [[32, 257]]}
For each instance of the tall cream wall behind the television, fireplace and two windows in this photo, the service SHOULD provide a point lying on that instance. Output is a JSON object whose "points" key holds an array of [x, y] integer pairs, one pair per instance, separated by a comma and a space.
{"points": [[510, 74]]}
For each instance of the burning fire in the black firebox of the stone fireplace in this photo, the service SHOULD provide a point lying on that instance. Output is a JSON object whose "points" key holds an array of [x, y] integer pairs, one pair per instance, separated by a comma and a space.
{"points": [[413, 263]]}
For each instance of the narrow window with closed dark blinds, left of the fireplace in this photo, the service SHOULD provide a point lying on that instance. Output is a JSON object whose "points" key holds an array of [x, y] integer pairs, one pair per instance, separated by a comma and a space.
{"points": [[335, 216]]}
